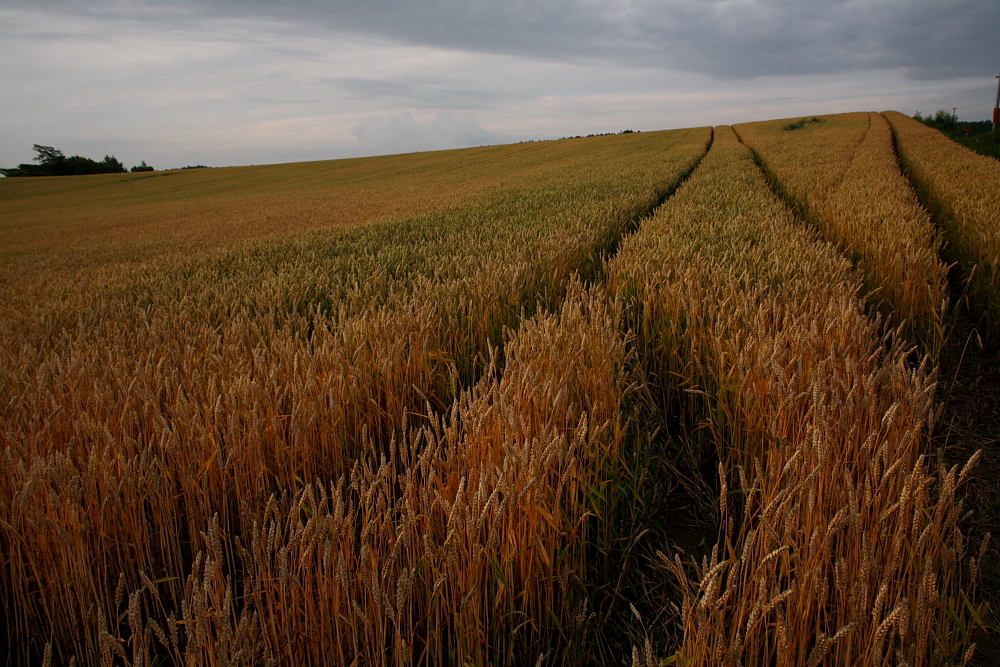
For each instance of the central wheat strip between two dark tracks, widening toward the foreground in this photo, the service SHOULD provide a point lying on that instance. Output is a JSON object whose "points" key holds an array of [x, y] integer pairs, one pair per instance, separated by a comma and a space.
{"points": [[839, 543]]}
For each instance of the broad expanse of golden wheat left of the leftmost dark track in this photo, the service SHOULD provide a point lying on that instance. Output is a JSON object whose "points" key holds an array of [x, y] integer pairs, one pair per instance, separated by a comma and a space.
{"points": [[175, 409]]}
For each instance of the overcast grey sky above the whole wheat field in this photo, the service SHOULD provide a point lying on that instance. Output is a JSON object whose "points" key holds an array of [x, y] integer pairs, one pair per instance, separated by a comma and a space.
{"points": [[226, 82]]}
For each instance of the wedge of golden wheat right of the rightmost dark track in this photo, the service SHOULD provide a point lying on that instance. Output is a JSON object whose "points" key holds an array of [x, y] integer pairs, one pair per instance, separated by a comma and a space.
{"points": [[962, 189]]}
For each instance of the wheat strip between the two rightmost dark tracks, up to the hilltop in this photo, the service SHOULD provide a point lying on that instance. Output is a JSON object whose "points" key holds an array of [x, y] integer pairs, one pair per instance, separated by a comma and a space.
{"points": [[843, 175]]}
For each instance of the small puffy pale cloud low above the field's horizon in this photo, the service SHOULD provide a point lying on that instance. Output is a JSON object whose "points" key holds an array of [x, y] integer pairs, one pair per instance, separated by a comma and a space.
{"points": [[400, 133]]}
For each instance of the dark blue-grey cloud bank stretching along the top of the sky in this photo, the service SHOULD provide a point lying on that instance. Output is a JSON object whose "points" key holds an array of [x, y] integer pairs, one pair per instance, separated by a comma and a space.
{"points": [[722, 38]]}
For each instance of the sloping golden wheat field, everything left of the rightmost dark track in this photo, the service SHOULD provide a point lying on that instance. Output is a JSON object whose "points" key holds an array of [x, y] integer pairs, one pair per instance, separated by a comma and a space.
{"points": [[442, 408]]}
